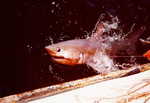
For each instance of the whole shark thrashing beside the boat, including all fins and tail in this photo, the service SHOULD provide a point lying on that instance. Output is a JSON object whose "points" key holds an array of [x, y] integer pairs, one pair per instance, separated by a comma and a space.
{"points": [[83, 51]]}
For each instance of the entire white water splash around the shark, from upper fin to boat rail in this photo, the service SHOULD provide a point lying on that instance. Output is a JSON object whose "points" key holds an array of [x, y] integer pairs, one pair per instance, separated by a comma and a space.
{"points": [[103, 62]]}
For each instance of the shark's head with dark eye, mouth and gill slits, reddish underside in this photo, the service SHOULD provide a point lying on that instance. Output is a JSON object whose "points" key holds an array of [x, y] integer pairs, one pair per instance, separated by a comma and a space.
{"points": [[70, 52]]}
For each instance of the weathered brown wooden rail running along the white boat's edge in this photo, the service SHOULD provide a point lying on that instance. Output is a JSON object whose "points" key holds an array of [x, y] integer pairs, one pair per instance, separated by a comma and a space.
{"points": [[60, 88]]}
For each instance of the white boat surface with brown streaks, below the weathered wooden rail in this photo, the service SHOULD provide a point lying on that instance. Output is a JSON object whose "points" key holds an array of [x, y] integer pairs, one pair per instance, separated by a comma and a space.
{"points": [[132, 89]]}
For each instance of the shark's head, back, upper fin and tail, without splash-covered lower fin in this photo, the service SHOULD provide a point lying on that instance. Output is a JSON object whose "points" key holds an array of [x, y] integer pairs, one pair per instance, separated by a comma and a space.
{"points": [[82, 51]]}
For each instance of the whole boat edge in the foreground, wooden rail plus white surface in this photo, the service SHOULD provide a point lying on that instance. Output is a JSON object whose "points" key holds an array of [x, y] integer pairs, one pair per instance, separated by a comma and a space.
{"points": [[131, 89]]}
